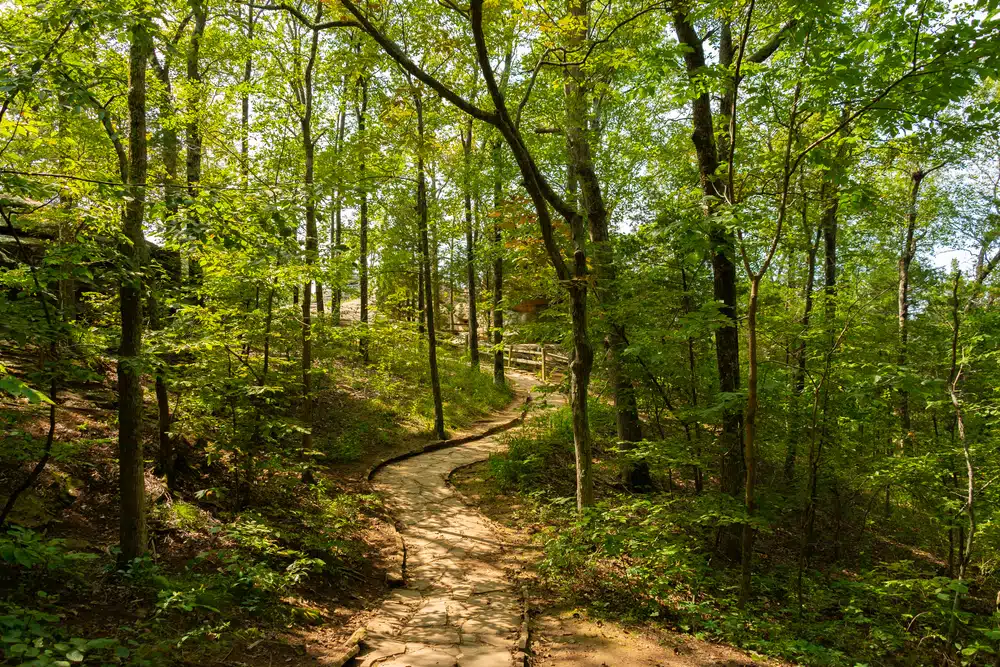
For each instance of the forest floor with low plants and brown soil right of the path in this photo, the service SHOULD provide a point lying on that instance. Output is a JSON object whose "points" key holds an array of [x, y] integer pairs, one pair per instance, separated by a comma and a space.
{"points": [[651, 564]]}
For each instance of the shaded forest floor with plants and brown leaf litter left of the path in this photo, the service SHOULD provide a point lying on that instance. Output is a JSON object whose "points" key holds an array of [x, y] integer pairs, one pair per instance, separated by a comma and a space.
{"points": [[283, 567]]}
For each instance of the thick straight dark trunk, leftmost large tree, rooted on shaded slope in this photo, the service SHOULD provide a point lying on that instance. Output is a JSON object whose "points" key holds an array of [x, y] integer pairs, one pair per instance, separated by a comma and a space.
{"points": [[132, 489]]}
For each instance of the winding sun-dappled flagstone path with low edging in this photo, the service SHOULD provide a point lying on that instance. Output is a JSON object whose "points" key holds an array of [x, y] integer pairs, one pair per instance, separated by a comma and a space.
{"points": [[458, 607]]}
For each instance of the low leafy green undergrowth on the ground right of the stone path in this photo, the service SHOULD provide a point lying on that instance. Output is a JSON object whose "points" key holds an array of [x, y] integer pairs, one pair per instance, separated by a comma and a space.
{"points": [[650, 558]]}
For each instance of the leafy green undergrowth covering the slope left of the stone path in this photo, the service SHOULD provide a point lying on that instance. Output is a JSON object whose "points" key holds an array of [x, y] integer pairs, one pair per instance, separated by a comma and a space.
{"points": [[257, 538]]}
